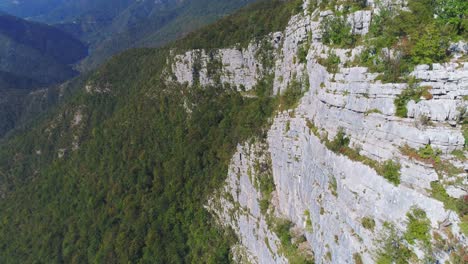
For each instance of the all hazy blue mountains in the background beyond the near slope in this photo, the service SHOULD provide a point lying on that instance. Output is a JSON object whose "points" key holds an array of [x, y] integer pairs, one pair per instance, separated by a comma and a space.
{"points": [[54, 48]]}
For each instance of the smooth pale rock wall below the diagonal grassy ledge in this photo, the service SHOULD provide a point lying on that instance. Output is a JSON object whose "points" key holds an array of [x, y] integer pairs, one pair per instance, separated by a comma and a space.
{"points": [[338, 193]]}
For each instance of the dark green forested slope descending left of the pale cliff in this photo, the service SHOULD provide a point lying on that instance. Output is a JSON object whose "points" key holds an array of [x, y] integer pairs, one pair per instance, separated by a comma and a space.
{"points": [[120, 172]]}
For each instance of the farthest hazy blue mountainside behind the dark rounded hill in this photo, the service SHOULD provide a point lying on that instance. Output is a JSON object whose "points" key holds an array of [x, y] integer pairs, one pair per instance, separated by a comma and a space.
{"points": [[109, 27]]}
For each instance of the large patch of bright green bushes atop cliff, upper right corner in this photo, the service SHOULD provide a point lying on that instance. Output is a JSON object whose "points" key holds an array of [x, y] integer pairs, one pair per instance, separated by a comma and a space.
{"points": [[416, 36]]}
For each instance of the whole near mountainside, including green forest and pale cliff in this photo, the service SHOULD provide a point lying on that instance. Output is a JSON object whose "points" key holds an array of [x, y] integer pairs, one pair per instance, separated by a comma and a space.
{"points": [[288, 132]]}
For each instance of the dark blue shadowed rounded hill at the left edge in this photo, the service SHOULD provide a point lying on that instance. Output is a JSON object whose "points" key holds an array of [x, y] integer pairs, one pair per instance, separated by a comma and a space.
{"points": [[32, 56]]}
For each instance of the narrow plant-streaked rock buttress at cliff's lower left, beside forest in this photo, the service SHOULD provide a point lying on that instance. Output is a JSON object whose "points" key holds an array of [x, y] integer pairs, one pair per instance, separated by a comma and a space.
{"points": [[238, 206]]}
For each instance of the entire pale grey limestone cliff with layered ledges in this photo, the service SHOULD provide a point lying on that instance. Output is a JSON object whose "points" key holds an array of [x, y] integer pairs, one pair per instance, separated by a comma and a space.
{"points": [[339, 207]]}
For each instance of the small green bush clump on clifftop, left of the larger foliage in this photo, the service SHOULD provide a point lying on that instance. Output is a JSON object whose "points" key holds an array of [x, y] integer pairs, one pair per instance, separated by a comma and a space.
{"points": [[337, 32]]}
